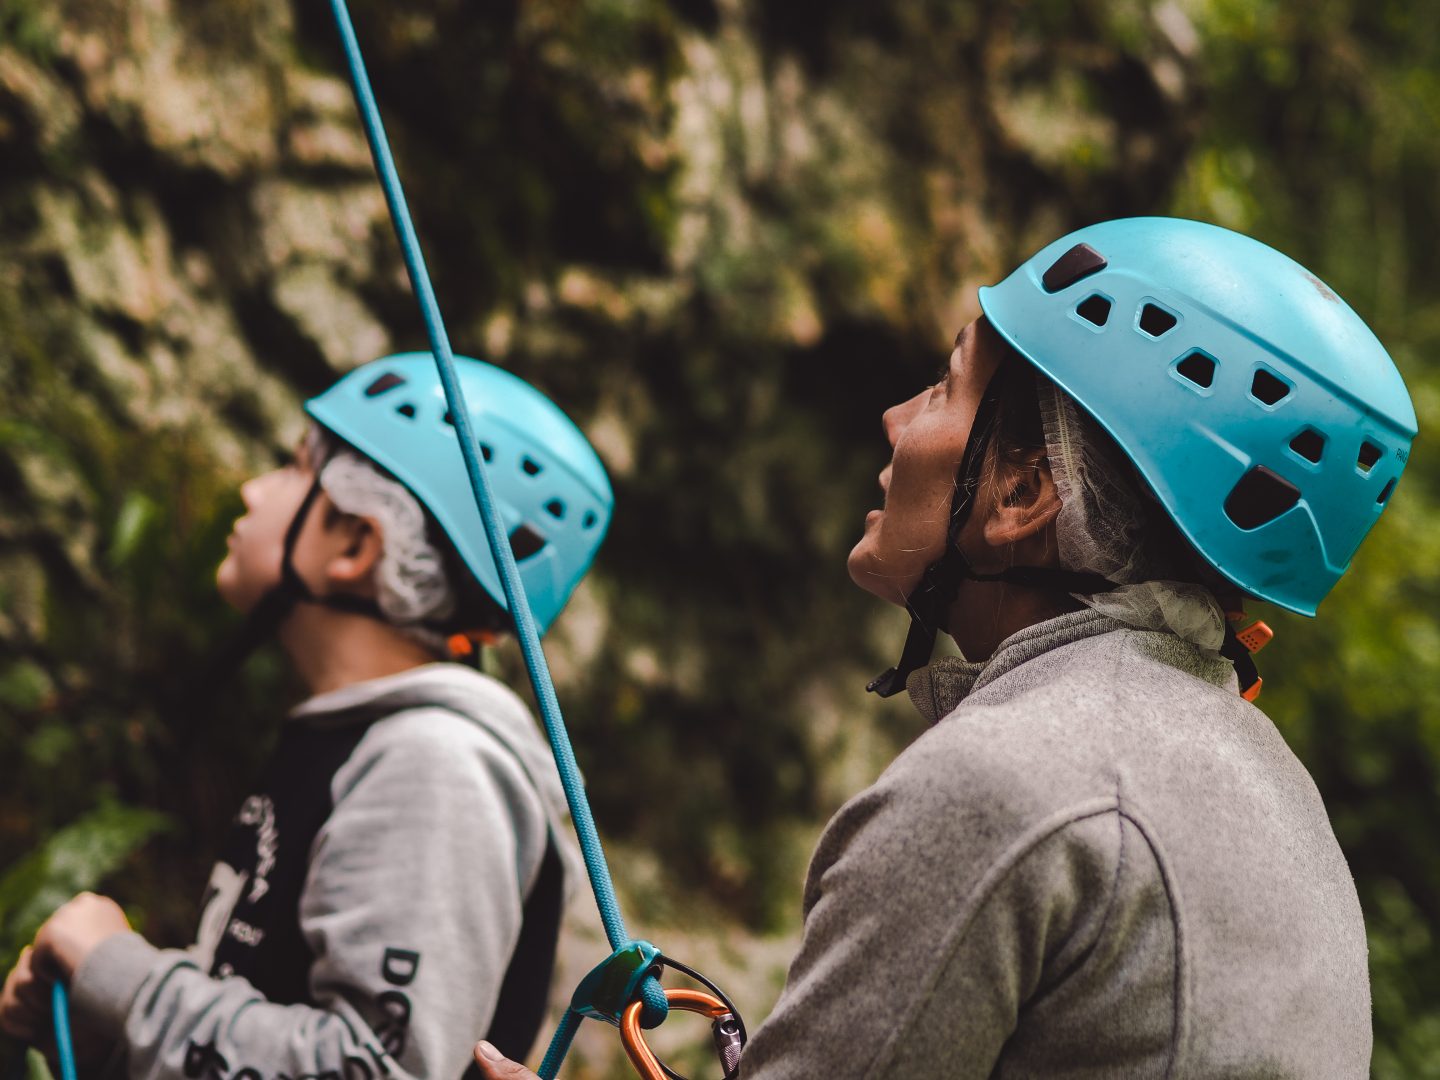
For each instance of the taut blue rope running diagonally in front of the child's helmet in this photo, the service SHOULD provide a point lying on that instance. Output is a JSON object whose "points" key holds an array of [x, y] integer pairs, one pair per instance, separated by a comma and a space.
{"points": [[526, 633]]}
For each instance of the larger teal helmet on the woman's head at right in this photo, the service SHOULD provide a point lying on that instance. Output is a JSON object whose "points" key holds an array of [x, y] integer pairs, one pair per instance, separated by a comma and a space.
{"points": [[1261, 410]]}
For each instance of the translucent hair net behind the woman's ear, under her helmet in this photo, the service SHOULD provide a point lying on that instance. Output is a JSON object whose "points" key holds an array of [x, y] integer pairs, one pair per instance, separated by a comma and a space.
{"points": [[1104, 529]]}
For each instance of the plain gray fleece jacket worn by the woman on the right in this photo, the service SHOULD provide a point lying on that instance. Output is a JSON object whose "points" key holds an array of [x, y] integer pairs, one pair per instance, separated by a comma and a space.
{"points": [[1102, 863]]}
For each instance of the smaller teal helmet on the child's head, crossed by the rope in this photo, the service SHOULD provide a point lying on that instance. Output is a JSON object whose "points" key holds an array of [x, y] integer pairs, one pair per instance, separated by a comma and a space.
{"points": [[548, 482]]}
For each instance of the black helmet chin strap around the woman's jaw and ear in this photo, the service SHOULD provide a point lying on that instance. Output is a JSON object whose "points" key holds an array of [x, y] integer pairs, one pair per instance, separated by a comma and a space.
{"points": [[931, 601]]}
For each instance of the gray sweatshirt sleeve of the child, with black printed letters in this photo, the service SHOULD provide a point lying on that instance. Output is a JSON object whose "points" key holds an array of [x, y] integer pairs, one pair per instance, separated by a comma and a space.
{"points": [[413, 909]]}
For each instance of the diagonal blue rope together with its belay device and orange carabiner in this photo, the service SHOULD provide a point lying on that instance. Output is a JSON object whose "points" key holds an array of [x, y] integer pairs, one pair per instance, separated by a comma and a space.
{"points": [[627, 981]]}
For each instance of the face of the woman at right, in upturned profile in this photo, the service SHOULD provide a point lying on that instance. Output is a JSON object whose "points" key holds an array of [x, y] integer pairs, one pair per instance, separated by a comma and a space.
{"points": [[928, 436]]}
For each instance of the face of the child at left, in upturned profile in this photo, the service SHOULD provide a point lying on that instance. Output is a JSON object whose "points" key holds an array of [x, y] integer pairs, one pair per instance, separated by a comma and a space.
{"points": [[257, 542]]}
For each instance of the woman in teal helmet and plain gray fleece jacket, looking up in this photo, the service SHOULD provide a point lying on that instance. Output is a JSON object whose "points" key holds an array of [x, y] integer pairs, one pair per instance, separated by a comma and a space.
{"points": [[1102, 859]]}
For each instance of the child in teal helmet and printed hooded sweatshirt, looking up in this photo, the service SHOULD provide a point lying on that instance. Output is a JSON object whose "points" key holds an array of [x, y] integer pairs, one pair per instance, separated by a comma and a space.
{"points": [[394, 883]]}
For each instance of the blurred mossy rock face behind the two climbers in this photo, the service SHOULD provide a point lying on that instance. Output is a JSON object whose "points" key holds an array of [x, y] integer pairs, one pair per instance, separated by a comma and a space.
{"points": [[724, 234]]}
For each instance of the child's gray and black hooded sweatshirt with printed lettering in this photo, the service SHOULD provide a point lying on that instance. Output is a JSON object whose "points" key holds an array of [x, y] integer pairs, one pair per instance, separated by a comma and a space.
{"points": [[377, 889]]}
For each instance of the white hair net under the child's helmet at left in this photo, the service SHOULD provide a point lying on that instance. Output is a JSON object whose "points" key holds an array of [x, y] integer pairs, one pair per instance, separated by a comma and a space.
{"points": [[411, 582]]}
